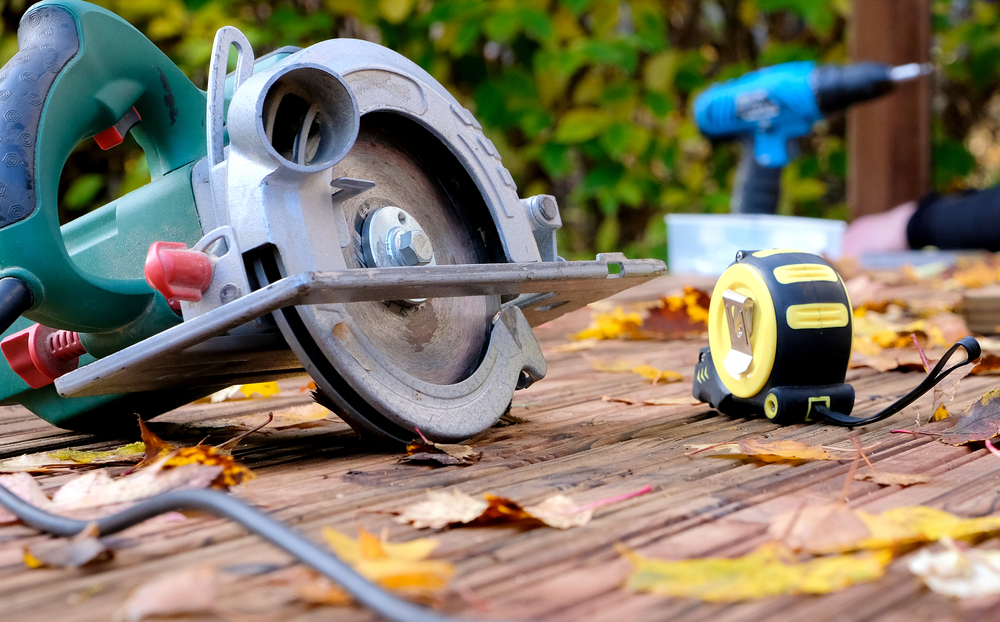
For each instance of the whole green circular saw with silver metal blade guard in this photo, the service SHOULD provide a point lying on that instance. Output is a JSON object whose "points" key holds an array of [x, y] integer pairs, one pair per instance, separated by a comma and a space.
{"points": [[332, 209]]}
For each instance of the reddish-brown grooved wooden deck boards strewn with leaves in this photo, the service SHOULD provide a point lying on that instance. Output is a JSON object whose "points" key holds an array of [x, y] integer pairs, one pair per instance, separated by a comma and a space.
{"points": [[573, 443]]}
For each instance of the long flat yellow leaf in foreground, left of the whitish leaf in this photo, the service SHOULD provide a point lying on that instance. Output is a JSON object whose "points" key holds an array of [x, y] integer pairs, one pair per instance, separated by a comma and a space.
{"points": [[768, 571]]}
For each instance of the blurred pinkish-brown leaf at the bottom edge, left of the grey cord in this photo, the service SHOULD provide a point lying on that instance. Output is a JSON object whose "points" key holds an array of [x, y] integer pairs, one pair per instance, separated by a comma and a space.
{"points": [[191, 590]]}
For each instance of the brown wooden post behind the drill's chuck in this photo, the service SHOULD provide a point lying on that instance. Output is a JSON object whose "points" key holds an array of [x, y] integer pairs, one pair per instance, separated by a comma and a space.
{"points": [[888, 140]]}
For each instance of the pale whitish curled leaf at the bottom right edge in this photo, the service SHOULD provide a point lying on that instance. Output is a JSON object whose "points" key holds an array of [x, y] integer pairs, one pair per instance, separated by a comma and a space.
{"points": [[958, 573]]}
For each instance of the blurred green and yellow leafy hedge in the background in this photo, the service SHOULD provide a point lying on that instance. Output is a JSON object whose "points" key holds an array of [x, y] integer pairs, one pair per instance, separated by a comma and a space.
{"points": [[589, 100]]}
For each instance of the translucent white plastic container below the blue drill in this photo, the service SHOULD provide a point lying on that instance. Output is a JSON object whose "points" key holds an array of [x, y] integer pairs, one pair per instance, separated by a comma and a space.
{"points": [[707, 243]]}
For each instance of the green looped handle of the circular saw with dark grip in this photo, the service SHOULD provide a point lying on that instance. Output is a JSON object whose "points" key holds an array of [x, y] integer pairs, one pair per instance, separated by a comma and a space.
{"points": [[78, 70]]}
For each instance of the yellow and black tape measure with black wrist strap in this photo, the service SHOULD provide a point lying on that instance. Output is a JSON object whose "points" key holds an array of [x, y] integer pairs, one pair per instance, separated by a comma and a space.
{"points": [[780, 333]]}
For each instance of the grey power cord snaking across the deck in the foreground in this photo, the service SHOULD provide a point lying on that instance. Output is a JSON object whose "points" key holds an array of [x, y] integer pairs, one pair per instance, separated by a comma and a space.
{"points": [[225, 506]]}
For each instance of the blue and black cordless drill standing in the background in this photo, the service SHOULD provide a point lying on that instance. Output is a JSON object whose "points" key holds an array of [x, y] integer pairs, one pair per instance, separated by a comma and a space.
{"points": [[765, 109]]}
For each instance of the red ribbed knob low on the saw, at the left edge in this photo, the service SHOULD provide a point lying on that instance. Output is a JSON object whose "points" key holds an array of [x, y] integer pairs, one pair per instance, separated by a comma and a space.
{"points": [[39, 354]]}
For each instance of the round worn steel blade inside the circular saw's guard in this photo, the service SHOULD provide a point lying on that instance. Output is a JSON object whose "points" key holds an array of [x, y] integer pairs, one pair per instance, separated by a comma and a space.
{"points": [[441, 340]]}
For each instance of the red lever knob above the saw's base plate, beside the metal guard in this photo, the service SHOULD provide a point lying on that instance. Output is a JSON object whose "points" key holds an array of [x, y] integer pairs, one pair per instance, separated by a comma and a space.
{"points": [[176, 272]]}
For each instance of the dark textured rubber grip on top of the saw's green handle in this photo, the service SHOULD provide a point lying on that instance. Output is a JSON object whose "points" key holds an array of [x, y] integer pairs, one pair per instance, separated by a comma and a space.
{"points": [[47, 40]]}
